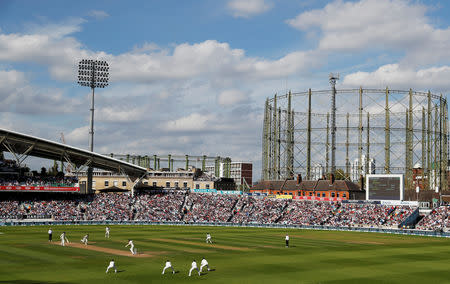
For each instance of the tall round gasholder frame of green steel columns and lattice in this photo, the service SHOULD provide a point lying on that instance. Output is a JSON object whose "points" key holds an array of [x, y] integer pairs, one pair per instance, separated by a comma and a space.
{"points": [[376, 130]]}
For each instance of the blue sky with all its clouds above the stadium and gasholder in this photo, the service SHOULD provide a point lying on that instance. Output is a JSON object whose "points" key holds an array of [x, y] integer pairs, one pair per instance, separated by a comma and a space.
{"points": [[192, 76]]}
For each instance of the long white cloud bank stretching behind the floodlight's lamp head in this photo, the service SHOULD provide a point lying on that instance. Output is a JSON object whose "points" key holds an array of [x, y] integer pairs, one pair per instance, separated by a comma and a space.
{"points": [[210, 59]]}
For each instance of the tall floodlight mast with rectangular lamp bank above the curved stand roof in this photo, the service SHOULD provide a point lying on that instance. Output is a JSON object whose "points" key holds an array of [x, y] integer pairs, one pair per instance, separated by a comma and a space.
{"points": [[93, 74]]}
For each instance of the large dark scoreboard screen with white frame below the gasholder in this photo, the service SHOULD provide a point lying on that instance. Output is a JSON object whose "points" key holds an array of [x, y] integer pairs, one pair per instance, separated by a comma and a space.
{"points": [[384, 187]]}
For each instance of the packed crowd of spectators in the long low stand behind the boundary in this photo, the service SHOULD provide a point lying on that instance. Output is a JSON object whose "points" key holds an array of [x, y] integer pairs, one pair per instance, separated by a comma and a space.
{"points": [[181, 206]]}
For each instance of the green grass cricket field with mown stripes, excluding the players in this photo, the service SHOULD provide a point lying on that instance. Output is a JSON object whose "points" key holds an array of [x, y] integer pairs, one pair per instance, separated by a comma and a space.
{"points": [[239, 255]]}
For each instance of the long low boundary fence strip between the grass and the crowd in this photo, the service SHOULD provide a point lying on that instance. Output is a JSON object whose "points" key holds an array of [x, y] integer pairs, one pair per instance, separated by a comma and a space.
{"points": [[225, 224]]}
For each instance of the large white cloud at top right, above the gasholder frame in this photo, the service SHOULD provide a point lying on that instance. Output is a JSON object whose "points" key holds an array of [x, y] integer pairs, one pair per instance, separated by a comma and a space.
{"points": [[398, 25]]}
